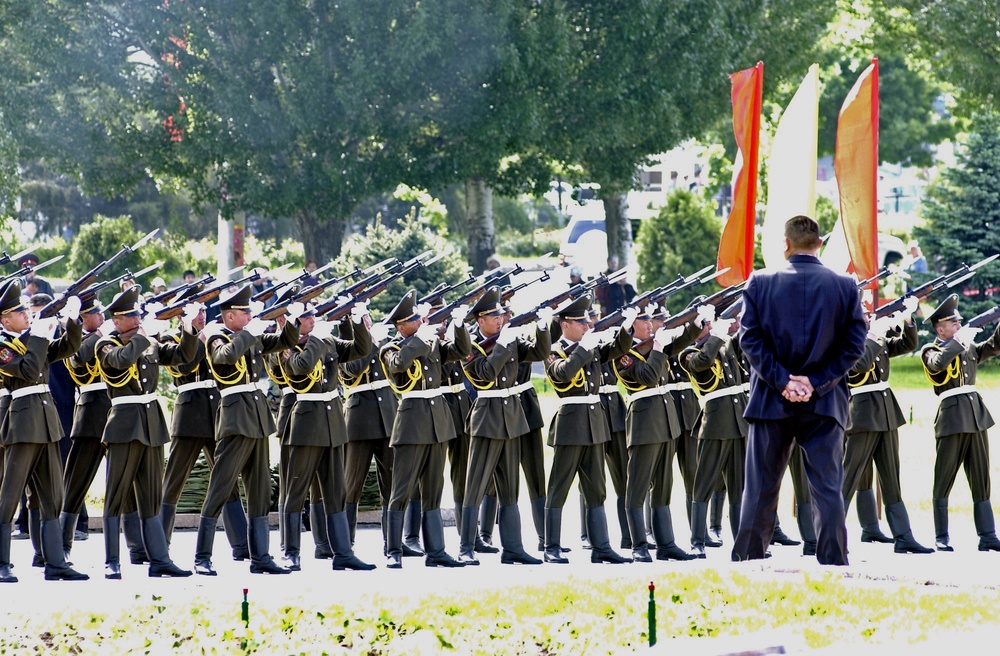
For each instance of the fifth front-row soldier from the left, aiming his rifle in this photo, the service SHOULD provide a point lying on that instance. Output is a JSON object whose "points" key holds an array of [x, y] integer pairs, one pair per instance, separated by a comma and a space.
{"points": [[423, 424]]}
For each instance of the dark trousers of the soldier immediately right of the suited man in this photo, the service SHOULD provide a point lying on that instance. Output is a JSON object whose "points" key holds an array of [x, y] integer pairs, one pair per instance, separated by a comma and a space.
{"points": [[864, 447]]}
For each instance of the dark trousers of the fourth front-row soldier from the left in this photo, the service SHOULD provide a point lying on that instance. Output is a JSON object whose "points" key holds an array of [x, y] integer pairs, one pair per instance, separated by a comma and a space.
{"points": [[320, 468]]}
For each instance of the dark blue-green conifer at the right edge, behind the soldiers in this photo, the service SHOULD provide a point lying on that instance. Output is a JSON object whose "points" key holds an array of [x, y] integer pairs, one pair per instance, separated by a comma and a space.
{"points": [[962, 214]]}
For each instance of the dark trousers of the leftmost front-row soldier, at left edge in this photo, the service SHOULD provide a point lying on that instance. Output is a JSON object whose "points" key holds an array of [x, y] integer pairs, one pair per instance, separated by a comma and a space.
{"points": [[36, 466]]}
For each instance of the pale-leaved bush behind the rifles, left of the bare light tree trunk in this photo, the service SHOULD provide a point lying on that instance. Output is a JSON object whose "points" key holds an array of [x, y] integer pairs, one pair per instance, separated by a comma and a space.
{"points": [[411, 239]]}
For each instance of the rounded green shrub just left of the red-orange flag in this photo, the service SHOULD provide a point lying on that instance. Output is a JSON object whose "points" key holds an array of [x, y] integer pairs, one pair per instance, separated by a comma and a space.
{"points": [[681, 239]]}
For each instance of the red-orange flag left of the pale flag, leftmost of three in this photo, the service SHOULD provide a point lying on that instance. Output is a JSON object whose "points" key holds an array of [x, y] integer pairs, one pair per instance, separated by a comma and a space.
{"points": [[736, 246]]}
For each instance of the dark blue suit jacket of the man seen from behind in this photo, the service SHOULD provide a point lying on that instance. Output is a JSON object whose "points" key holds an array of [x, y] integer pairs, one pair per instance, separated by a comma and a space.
{"points": [[802, 319]]}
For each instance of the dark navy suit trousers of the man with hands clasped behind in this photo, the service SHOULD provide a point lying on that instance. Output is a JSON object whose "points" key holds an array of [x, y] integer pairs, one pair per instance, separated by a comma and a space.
{"points": [[768, 450]]}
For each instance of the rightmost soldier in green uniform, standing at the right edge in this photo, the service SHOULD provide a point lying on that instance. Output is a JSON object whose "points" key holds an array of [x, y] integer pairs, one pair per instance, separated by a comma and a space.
{"points": [[962, 420]]}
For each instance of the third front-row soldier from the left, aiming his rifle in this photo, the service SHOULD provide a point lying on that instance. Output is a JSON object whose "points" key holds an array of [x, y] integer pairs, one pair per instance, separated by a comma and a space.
{"points": [[243, 426]]}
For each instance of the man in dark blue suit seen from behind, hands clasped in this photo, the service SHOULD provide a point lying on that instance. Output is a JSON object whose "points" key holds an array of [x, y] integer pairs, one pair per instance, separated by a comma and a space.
{"points": [[802, 330]]}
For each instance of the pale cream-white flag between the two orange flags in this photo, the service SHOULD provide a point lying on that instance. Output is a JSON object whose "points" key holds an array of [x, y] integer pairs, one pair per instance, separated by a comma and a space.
{"points": [[791, 168]]}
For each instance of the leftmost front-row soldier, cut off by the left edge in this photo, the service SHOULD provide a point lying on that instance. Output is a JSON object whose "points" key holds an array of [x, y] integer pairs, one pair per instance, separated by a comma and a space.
{"points": [[31, 429]]}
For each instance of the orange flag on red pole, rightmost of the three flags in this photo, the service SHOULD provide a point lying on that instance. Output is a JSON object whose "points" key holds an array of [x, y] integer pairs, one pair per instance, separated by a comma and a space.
{"points": [[856, 166]]}
